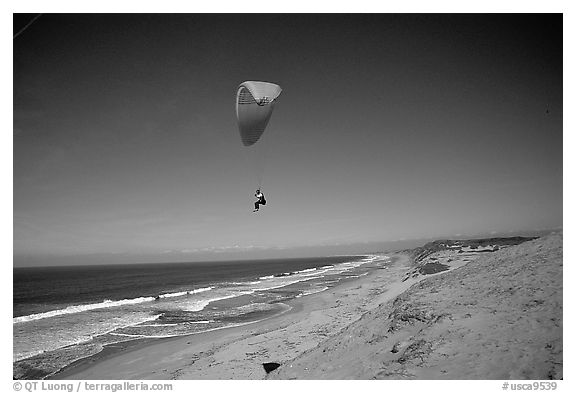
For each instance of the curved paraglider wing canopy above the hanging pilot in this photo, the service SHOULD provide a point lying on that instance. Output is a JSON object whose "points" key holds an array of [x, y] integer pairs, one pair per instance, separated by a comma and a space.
{"points": [[254, 106]]}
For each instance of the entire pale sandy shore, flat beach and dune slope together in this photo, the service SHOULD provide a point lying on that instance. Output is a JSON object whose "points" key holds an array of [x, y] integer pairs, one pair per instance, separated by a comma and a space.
{"points": [[495, 313]]}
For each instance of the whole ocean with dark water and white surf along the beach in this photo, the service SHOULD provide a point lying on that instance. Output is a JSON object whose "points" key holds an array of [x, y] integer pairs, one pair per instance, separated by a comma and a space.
{"points": [[62, 314]]}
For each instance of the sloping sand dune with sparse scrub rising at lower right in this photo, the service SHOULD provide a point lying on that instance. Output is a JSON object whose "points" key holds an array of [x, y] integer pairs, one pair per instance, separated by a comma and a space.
{"points": [[498, 317]]}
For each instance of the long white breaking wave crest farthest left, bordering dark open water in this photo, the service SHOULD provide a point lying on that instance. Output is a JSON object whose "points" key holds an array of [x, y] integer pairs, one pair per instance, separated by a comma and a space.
{"points": [[103, 304]]}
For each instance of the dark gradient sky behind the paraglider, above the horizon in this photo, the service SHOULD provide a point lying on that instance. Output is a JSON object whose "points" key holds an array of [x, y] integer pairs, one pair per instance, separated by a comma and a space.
{"points": [[388, 127]]}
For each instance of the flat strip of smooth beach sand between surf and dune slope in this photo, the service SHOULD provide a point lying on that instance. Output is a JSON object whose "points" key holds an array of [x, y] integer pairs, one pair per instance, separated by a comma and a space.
{"points": [[106, 364]]}
